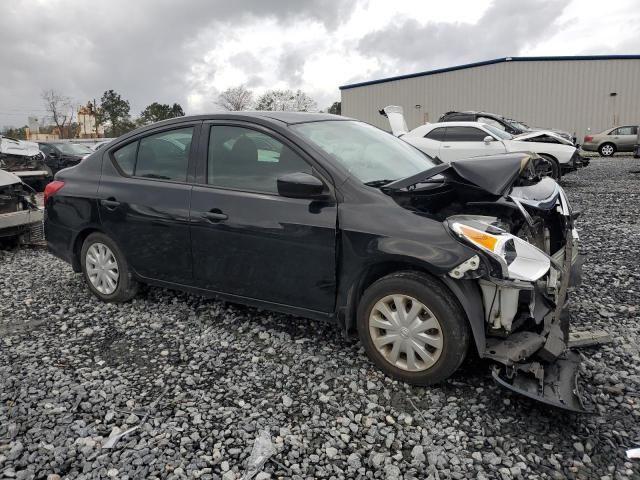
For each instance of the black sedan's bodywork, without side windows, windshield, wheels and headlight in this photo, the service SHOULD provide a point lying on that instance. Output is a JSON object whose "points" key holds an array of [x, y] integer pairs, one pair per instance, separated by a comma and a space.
{"points": [[315, 257]]}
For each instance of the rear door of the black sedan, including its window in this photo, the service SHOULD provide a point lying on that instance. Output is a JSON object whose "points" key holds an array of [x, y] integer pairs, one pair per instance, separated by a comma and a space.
{"points": [[144, 197]]}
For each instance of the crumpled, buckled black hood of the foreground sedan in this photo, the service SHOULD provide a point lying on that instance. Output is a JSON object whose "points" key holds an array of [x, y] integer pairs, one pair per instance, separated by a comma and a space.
{"points": [[495, 174]]}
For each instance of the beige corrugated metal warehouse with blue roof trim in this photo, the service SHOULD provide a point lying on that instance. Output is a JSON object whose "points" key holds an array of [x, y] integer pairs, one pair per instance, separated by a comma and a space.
{"points": [[574, 94]]}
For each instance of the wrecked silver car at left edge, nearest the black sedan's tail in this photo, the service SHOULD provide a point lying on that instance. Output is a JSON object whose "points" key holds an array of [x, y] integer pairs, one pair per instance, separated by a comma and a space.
{"points": [[20, 216]]}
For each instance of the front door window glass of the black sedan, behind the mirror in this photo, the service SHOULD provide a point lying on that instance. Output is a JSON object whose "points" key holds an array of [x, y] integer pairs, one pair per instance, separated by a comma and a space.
{"points": [[248, 160]]}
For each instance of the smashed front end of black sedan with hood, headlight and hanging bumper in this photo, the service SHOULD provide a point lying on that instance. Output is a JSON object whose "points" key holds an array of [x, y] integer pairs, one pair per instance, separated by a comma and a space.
{"points": [[528, 259]]}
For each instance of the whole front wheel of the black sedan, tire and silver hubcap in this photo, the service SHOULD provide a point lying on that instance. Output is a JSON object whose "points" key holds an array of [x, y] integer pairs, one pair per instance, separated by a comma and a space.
{"points": [[412, 328]]}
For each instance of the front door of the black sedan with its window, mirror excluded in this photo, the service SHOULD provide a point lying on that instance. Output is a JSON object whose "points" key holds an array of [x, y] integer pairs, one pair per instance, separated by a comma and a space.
{"points": [[247, 240]]}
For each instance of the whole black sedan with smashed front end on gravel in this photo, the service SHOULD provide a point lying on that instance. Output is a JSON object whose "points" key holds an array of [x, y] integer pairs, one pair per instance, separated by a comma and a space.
{"points": [[329, 218]]}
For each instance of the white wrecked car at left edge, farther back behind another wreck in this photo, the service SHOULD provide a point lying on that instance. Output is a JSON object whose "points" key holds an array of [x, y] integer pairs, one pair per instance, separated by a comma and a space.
{"points": [[25, 160]]}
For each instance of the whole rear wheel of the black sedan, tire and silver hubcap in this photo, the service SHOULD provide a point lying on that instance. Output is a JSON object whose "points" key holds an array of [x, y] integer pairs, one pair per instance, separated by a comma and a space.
{"points": [[105, 269]]}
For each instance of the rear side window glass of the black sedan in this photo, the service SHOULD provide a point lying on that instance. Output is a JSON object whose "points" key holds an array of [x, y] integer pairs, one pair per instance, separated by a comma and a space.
{"points": [[163, 156]]}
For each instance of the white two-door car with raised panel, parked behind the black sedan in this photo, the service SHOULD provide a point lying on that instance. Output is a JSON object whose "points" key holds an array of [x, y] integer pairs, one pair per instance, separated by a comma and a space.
{"points": [[450, 141]]}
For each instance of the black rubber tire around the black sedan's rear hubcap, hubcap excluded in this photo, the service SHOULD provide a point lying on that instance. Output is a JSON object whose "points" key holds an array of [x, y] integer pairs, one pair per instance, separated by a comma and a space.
{"points": [[126, 287]]}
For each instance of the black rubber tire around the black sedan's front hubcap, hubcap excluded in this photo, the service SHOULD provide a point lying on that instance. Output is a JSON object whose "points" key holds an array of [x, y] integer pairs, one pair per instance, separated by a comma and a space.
{"points": [[454, 326]]}
